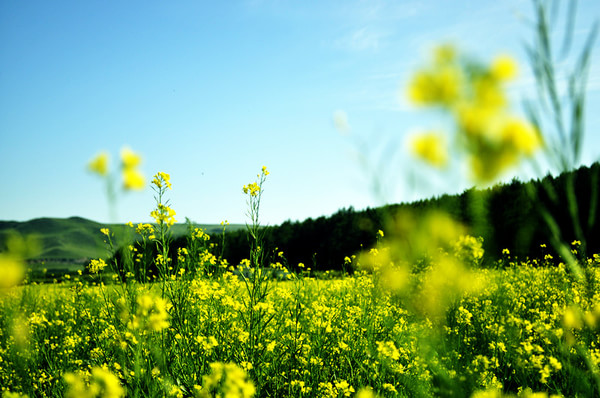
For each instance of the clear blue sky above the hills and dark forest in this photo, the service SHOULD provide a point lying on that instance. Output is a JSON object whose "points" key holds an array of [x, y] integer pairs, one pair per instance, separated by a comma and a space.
{"points": [[210, 91]]}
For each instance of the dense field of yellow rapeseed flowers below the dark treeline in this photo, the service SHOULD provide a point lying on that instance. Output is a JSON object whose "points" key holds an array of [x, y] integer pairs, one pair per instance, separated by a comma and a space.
{"points": [[528, 329]]}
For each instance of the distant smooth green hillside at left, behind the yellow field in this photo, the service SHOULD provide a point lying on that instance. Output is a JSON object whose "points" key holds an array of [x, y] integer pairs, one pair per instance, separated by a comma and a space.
{"points": [[69, 242]]}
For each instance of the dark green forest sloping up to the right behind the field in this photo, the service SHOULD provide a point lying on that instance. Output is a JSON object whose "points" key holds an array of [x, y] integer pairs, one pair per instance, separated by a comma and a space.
{"points": [[517, 216]]}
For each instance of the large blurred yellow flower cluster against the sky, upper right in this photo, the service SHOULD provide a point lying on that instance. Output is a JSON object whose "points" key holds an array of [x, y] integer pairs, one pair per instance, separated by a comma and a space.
{"points": [[492, 138]]}
